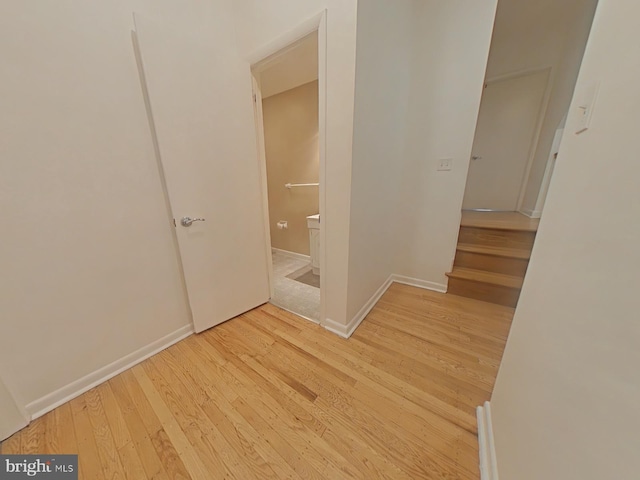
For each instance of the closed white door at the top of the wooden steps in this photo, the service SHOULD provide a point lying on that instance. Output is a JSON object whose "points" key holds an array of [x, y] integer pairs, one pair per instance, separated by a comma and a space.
{"points": [[505, 133]]}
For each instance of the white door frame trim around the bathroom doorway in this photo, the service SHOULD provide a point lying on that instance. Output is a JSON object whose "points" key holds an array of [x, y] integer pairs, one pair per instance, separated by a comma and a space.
{"points": [[259, 61]]}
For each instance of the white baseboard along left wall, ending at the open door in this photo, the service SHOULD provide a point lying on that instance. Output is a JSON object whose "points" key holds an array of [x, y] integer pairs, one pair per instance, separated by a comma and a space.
{"points": [[54, 399]]}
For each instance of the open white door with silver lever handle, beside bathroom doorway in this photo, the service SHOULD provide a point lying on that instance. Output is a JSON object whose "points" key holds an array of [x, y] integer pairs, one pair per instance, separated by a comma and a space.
{"points": [[201, 102]]}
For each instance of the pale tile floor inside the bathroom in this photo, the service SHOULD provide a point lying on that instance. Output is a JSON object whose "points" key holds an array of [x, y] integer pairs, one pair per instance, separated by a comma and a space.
{"points": [[292, 295]]}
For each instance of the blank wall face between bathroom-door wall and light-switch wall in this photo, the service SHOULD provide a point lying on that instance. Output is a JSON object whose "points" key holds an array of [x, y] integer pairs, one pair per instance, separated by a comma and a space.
{"points": [[383, 63]]}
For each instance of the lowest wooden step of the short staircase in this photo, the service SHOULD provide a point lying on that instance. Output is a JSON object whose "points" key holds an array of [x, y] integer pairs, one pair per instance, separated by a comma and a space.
{"points": [[486, 286]]}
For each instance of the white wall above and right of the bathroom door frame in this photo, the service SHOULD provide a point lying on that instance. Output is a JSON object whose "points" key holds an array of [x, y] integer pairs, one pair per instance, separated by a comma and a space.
{"points": [[263, 22]]}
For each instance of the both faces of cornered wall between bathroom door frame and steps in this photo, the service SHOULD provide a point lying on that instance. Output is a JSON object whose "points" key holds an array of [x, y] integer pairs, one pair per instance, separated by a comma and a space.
{"points": [[420, 70]]}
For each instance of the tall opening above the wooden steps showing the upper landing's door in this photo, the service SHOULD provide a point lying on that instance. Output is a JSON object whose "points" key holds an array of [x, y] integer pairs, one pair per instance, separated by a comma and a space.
{"points": [[534, 60]]}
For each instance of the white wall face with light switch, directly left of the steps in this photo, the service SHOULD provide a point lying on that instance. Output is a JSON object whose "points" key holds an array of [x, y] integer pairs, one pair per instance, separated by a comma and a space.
{"points": [[451, 46]]}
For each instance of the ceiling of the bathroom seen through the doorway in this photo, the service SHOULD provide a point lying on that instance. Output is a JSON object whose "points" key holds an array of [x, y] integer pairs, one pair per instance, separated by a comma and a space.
{"points": [[294, 67]]}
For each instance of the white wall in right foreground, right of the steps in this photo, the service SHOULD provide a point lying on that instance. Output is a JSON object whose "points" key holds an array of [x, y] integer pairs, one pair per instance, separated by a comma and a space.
{"points": [[565, 405]]}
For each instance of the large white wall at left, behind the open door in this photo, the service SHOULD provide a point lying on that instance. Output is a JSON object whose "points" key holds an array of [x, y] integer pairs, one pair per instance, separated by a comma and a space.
{"points": [[89, 269]]}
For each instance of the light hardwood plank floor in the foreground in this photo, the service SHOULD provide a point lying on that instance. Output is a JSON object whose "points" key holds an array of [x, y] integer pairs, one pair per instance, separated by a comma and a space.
{"points": [[269, 395]]}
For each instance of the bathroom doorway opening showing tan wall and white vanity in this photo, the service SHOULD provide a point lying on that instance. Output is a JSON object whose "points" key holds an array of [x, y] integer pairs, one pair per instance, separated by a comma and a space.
{"points": [[286, 96]]}
